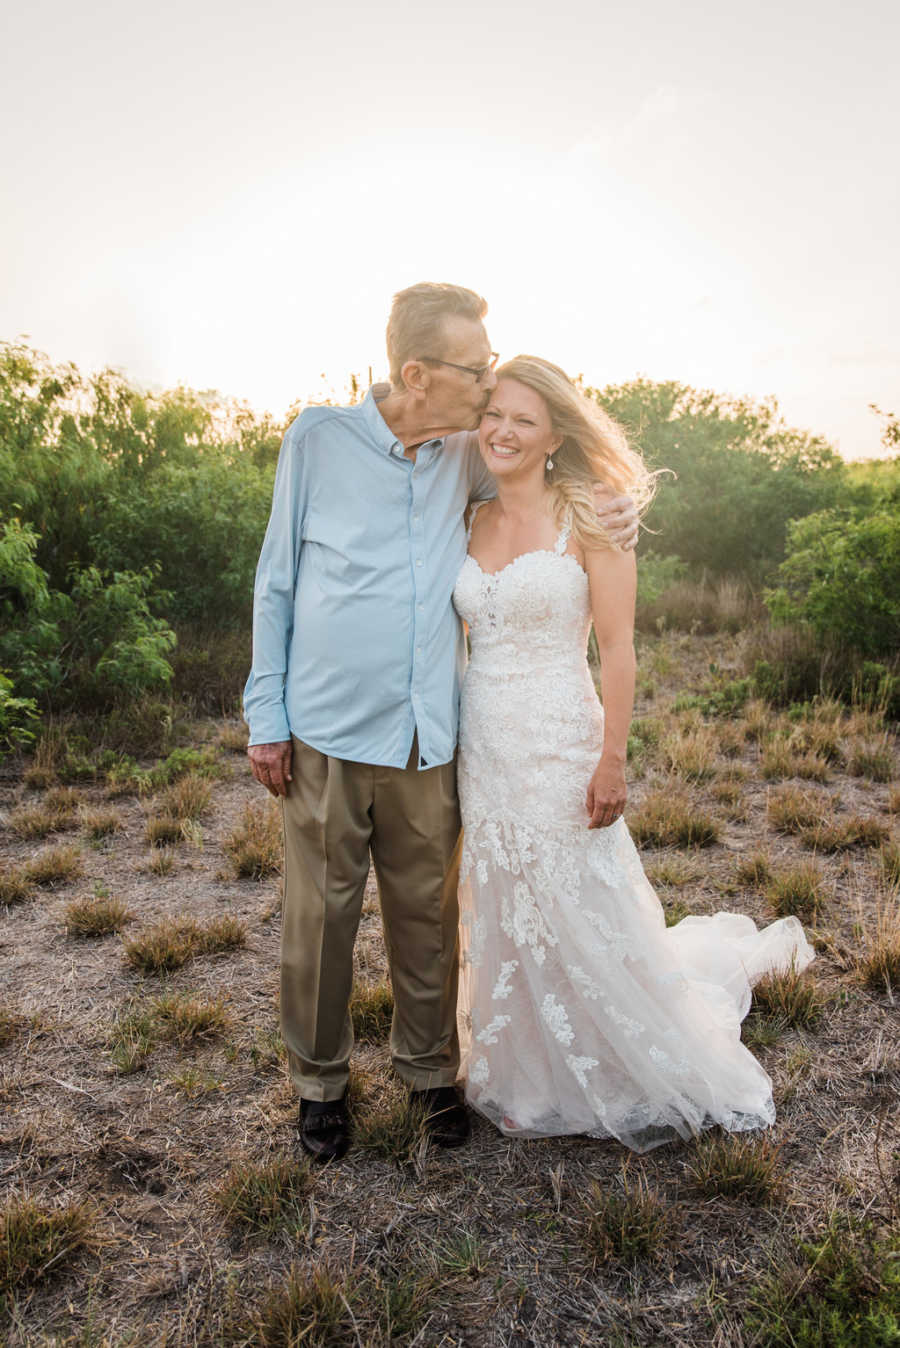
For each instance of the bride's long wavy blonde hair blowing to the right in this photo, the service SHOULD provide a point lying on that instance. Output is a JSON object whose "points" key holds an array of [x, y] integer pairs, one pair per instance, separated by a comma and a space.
{"points": [[595, 450]]}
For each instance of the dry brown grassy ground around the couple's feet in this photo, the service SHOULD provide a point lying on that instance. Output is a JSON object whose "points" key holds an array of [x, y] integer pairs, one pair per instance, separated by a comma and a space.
{"points": [[153, 1188]]}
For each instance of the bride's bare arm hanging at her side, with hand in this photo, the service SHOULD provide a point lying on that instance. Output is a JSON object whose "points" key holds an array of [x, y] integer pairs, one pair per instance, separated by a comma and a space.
{"points": [[614, 582]]}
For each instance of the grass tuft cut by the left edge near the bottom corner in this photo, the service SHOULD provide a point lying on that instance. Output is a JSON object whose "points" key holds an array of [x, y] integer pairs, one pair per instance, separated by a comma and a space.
{"points": [[37, 1239]]}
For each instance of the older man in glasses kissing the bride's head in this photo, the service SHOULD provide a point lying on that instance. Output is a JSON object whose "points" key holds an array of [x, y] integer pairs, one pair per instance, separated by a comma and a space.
{"points": [[352, 702]]}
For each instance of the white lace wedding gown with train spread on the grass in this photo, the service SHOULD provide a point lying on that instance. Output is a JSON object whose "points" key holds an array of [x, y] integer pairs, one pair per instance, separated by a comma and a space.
{"points": [[580, 1012]]}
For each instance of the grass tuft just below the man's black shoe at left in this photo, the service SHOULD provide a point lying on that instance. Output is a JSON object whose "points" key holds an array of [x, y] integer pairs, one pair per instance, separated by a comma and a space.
{"points": [[263, 1199]]}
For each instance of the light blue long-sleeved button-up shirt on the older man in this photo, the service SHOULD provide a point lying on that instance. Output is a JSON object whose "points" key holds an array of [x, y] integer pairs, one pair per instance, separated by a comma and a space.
{"points": [[356, 642]]}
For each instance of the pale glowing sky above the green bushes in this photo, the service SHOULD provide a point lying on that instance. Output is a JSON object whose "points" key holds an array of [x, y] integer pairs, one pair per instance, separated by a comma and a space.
{"points": [[228, 199]]}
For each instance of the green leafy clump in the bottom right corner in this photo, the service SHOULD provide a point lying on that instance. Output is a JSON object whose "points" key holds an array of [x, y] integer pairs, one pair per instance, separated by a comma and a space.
{"points": [[841, 1291]]}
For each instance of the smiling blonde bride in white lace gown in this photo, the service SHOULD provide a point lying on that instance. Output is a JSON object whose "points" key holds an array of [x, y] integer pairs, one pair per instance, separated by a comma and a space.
{"points": [[580, 1010]]}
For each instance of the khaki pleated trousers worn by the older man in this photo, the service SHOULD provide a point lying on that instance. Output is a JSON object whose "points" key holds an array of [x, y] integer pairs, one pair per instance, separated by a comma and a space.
{"points": [[335, 814]]}
